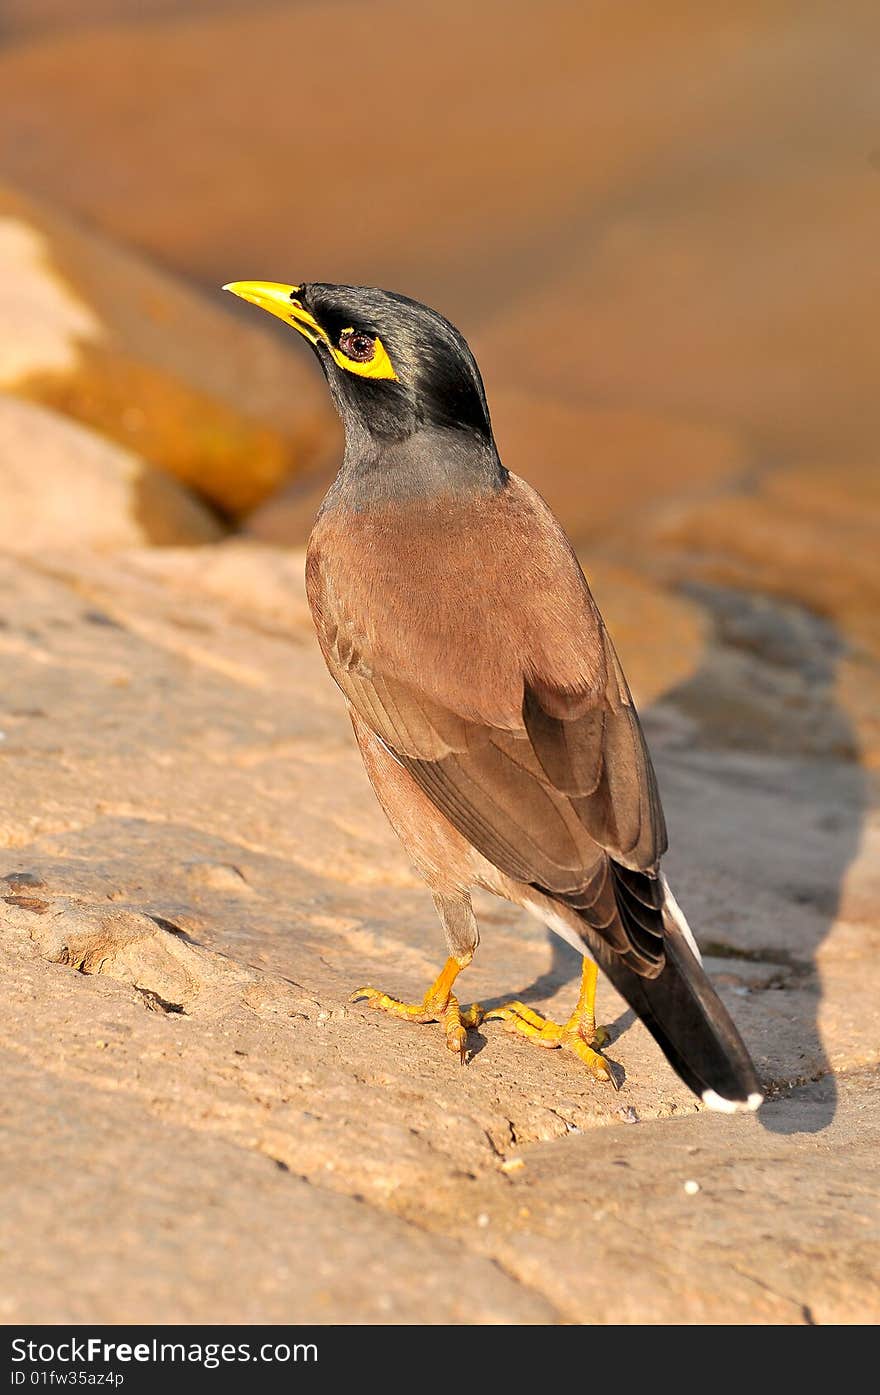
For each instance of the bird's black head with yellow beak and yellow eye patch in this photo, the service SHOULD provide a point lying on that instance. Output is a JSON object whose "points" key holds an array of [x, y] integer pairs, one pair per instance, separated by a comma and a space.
{"points": [[393, 365]]}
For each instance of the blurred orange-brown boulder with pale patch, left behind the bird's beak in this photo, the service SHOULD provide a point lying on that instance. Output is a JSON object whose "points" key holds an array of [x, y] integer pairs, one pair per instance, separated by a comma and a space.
{"points": [[97, 334]]}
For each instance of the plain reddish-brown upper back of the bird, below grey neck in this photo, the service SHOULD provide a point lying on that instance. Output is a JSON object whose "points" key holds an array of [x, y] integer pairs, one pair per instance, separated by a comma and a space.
{"points": [[462, 599]]}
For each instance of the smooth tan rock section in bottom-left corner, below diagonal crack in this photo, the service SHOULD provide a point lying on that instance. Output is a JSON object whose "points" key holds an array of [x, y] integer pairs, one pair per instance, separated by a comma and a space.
{"points": [[256, 1228]]}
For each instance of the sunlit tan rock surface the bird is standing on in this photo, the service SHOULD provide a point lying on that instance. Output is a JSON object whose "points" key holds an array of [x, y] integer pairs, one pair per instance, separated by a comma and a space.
{"points": [[195, 877]]}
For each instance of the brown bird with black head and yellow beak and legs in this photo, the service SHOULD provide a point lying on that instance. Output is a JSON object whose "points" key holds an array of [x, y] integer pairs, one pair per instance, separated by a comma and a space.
{"points": [[487, 700]]}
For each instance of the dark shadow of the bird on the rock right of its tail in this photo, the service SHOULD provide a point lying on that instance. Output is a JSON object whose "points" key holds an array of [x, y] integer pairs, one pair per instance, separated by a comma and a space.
{"points": [[765, 801]]}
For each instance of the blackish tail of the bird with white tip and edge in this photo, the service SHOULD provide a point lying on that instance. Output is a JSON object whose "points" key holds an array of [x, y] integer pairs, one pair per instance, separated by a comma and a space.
{"points": [[685, 1016]]}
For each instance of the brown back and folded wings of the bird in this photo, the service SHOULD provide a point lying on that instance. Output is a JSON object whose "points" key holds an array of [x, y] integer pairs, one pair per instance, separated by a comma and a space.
{"points": [[468, 640]]}
